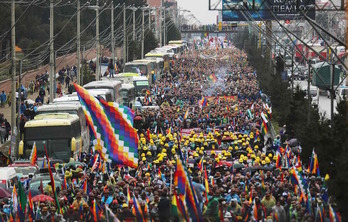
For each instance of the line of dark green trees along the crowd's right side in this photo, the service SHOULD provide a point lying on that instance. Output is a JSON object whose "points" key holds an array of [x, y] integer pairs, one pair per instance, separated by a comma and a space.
{"points": [[291, 109]]}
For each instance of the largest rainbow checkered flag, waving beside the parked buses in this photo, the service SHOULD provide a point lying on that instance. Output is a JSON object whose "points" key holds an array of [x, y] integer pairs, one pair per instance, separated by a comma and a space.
{"points": [[116, 137]]}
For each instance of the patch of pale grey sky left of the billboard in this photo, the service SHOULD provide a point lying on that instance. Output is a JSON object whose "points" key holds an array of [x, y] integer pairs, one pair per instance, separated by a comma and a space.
{"points": [[200, 9]]}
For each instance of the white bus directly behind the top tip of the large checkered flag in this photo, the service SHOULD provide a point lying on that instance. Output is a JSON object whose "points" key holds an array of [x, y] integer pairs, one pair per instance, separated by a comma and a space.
{"points": [[112, 86]]}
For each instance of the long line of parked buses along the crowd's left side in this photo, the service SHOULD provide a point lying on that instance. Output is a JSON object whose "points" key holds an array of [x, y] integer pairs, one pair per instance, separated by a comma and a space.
{"points": [[61, 126]]}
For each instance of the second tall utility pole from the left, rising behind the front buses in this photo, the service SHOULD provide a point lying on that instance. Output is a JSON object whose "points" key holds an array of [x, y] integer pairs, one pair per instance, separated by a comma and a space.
{"points": [[52, 74]]}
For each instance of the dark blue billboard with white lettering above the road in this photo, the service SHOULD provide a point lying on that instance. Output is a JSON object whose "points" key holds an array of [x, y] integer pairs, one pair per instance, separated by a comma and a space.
{"points": [[260, 10]]}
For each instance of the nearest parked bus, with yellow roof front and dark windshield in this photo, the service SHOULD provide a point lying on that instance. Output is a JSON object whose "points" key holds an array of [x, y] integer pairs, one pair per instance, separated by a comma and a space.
{"points": [[61, 133]]}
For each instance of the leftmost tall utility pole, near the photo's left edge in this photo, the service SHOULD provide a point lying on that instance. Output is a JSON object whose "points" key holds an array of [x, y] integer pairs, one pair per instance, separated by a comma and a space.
{"points": [[13, 68]]}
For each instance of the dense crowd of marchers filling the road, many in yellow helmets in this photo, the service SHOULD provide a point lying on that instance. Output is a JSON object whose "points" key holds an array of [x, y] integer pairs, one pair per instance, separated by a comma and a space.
{"points": [[210, 114]]}
